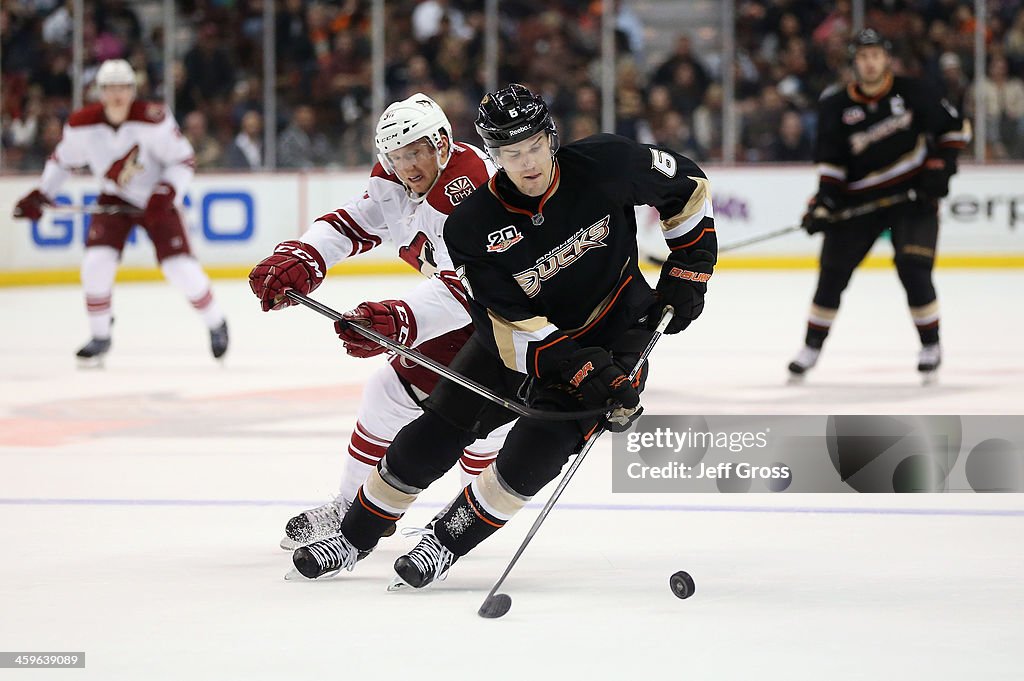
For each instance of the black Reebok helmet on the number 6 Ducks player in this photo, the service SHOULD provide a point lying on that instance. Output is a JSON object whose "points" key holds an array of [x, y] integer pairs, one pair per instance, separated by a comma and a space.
{"points": [[511, 115]]}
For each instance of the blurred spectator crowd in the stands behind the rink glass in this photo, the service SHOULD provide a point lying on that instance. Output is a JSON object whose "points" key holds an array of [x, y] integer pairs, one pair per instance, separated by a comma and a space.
{"points": [[788, 53]]}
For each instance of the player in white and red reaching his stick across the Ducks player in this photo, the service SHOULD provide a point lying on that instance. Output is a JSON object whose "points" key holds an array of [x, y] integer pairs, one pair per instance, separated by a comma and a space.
{"points": [[421, 177]]}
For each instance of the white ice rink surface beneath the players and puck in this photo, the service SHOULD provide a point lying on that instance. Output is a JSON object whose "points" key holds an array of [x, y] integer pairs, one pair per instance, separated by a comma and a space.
{"points": [[143, 505]]}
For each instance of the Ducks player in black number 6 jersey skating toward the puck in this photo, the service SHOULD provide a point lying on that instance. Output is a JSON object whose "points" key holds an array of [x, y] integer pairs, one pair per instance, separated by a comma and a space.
{"points": [[548, 253]]}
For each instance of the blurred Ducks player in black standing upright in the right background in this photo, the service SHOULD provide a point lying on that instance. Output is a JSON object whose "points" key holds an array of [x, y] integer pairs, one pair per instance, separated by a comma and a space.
{"points": [[880, 138]]}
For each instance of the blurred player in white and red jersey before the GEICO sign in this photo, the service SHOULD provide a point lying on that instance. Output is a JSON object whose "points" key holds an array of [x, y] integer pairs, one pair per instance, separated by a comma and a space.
{"points": [[145, 166]]}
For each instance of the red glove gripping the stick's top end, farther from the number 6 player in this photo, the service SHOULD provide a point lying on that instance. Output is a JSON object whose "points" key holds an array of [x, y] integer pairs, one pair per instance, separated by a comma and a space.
{"points": [[293, 266]]}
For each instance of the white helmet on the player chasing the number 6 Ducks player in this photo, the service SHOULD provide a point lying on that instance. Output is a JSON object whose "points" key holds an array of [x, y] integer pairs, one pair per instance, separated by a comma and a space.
{"points": [[409, 120]]}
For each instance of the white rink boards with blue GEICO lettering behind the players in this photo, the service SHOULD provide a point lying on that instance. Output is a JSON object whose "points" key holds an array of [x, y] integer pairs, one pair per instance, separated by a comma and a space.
{"points": [[237, 220]]}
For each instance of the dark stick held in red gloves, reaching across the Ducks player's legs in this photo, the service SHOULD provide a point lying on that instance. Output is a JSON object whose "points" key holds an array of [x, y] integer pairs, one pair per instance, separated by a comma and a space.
{"points": [[409, 354]]}
